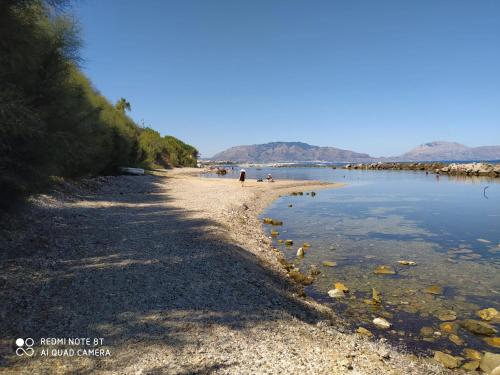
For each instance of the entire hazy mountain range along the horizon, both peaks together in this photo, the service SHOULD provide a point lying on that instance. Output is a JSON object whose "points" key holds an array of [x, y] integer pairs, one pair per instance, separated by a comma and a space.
{"points": [[276, 152]]}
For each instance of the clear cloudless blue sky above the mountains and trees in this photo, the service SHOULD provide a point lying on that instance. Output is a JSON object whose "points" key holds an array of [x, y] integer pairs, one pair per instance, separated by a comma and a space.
{"points": [[371, 76]]}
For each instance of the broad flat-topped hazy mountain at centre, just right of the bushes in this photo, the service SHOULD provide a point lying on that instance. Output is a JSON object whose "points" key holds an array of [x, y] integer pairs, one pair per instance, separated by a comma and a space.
{"points": [[289, 151]]}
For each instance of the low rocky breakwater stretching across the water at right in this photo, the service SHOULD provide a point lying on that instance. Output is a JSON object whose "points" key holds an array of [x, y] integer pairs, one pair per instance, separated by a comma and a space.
{"points": [[454, 169]]}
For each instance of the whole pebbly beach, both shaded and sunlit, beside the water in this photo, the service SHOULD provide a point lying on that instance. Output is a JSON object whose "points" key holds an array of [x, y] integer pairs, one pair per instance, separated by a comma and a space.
{"points": [[175, 274]]}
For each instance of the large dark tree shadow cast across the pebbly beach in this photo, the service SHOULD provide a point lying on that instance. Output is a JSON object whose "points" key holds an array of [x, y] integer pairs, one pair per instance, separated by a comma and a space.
{"points": [[121, 265]]}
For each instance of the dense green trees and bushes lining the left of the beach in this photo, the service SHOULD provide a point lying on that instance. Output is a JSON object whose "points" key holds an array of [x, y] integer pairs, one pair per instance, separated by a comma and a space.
{"points": [[53, 122]]}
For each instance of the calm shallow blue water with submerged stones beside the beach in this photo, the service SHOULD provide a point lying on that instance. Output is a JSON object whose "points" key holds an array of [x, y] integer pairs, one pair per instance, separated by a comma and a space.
{"points": [[450, 227]]}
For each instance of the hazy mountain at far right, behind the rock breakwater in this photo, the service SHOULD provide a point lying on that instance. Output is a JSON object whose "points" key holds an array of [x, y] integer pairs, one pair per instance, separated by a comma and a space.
{"points": [[440, 150]]}
